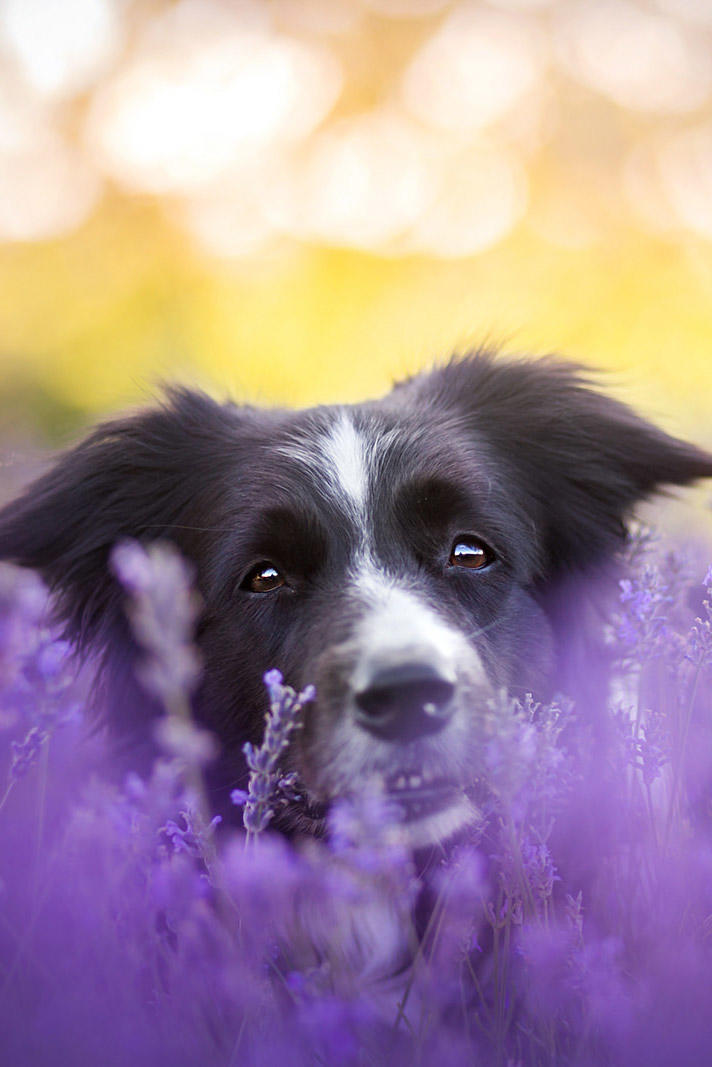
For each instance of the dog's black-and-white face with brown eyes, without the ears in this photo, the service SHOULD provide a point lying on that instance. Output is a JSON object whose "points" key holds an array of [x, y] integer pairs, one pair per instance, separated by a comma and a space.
{"points": [[382, 558]]}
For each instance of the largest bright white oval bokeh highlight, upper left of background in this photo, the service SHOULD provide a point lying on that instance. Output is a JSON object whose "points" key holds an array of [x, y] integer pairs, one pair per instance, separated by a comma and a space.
{"points": [[188, 110]]}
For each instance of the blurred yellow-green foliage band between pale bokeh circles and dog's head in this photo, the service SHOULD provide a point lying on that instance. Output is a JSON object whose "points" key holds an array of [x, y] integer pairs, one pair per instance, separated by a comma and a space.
{"points": [[96, 320]]}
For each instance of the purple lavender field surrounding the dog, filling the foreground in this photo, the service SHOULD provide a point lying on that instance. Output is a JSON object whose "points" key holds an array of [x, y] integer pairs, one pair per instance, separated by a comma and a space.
{"points": [[574, 927]]}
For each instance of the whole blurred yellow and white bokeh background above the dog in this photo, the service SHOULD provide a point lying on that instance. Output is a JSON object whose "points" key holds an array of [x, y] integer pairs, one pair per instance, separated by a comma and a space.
{"points": [[298, 201]]}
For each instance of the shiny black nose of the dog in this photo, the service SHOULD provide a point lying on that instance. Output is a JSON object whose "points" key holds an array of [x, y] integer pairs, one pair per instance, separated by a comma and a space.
{"points": [[405, 703]]}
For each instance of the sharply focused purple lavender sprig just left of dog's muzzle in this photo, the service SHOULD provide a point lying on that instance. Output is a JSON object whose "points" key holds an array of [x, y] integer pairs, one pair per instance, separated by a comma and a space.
{"points": [[281, 720]]}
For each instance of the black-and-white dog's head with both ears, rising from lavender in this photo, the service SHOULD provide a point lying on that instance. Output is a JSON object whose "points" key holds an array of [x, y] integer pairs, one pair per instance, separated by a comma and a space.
{"points": [[407, 556]]}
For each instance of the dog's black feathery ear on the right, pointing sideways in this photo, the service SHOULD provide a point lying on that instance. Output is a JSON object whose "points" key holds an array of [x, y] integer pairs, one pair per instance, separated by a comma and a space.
{"points": [[580, 459]]}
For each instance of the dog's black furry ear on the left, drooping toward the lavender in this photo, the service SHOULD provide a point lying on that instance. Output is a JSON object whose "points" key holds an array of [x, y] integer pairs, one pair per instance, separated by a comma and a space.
{"points": [[147, 476]]}
